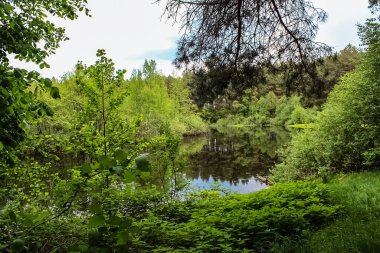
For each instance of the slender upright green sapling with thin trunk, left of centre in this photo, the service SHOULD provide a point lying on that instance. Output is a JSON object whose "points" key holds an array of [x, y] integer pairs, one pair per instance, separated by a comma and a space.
{"points": [[104, 90]]}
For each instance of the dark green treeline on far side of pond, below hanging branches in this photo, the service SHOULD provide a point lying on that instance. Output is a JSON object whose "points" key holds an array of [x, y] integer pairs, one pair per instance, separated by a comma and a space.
{"points": [[219, 90]]}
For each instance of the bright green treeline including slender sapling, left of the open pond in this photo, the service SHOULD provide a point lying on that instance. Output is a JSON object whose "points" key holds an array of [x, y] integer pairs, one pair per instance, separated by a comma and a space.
{"points": [[99, 111]]}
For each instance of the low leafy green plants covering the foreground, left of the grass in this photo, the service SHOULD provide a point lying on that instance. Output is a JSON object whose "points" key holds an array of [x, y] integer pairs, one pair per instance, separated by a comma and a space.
{"points": [[130, 221]]}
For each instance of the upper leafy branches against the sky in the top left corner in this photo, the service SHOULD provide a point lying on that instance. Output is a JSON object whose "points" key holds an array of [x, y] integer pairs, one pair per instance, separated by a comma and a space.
{"points": [[26, 32]]}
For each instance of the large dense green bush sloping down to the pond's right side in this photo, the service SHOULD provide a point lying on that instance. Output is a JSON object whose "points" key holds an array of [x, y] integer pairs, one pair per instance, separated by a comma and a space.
{"points": [[346, 133]]}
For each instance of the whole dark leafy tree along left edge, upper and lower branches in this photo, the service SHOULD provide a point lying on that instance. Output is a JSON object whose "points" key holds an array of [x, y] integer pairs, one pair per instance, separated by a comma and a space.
{"points": [[26, 33]]}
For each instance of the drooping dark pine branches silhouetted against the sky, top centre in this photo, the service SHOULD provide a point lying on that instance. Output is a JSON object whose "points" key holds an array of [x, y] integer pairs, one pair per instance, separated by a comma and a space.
{"points": [[246, 32]]}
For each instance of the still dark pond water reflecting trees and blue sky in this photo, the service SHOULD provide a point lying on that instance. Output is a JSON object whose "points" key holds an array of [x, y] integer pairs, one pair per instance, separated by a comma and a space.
{"points": [[232, 159]]}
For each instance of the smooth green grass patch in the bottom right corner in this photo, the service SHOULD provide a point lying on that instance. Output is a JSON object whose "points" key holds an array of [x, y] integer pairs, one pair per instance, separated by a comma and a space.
{"points": [[358, 229]]}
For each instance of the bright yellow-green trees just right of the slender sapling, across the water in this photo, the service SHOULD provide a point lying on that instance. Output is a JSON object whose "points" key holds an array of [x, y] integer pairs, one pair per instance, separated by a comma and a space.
{"points": [[163, 103]]}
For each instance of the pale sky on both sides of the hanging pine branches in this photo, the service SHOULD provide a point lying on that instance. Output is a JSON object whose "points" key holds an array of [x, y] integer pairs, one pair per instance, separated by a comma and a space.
{"points": [[134, 30]]}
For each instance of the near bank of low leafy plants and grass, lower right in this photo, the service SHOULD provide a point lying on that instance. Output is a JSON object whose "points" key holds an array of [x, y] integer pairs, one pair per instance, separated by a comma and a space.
{"points": [[341, 215]]}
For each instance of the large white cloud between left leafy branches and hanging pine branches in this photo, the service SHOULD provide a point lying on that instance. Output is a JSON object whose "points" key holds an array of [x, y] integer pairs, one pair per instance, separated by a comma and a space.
{"points": [[128, 30]]}
